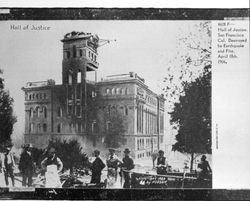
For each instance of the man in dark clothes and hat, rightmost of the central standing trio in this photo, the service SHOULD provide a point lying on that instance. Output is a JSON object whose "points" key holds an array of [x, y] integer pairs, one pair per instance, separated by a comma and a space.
{"points": [[127, 165]]}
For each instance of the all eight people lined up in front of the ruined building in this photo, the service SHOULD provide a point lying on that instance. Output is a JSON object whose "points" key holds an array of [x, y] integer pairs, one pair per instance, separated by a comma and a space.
{"points": [[52, 165]]}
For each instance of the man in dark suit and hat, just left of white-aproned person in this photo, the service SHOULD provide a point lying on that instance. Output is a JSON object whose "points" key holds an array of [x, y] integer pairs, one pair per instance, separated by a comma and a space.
{"points": [[26, 165]]}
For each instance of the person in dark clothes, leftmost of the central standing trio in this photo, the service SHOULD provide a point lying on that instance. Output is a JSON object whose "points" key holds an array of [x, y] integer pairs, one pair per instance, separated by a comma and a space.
{"points": [[96, 168]]}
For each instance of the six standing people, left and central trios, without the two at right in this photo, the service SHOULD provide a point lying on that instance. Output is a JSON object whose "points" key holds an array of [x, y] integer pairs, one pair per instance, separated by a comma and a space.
{"points": [[53, 165]]}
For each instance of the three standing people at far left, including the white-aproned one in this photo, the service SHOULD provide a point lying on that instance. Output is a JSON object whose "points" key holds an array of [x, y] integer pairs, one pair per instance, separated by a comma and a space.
{"points": [[51, 163]]}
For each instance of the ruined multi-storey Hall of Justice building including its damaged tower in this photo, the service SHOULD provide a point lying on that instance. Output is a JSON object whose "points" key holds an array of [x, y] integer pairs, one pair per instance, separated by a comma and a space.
{"points": [[74, 108]]}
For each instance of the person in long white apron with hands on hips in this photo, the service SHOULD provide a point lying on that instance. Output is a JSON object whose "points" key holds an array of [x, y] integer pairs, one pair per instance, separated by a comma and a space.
{"points": [[53, 166]]}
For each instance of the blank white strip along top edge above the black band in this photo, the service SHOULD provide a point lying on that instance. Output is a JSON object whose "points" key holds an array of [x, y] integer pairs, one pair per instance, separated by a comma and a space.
{"points": [[127, 3]]}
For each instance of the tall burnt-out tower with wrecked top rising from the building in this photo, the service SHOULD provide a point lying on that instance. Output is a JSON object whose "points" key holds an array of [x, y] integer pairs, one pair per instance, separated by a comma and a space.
{"points": [[79, 57]]}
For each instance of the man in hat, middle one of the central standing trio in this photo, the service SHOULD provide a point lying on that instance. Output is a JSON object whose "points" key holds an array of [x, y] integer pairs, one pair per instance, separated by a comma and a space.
{"points": [[112, 163]]}
